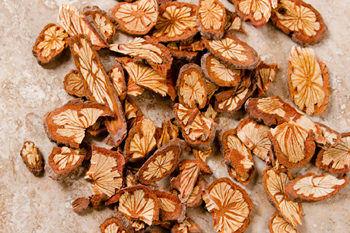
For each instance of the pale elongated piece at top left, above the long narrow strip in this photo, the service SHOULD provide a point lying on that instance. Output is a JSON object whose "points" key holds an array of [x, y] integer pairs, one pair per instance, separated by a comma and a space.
{"points": [[75, 23]]}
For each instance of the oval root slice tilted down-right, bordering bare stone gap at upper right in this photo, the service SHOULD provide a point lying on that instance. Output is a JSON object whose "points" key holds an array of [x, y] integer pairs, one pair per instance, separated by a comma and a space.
{"points": [[233, 52]]}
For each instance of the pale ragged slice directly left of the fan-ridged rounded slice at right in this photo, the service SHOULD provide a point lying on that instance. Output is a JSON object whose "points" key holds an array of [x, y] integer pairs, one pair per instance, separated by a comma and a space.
{"points": [[254, 136]]}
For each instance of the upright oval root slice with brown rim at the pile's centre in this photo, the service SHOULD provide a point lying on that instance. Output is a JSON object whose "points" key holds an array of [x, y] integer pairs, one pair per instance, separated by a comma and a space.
{"points": [[191, 86]]}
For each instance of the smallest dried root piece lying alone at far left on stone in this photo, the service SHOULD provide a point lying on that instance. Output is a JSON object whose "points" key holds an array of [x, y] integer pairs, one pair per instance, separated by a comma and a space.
{"points": [[32, 158]]}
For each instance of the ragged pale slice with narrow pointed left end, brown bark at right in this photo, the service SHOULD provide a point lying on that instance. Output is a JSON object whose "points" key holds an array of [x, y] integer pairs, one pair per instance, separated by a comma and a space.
{"points": [[148, 49]]}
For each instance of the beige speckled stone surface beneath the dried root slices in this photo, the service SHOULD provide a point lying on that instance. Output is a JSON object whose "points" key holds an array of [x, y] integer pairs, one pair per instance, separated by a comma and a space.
{"points": [[28, 91]]}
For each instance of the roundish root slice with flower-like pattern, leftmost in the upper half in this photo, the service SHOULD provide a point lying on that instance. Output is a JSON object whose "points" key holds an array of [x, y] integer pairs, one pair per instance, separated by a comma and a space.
{"points": [[50, 43]]}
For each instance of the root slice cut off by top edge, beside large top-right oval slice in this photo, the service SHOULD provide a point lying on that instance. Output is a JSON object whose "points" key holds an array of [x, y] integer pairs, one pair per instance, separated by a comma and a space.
{"points": [[258, 12]]}
